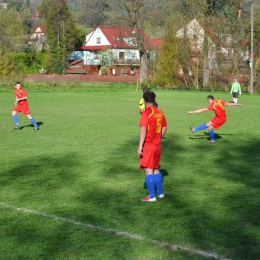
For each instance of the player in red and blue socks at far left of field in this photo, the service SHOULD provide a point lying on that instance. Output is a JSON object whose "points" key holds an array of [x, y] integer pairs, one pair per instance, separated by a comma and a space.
{"points": [[21, 106]]}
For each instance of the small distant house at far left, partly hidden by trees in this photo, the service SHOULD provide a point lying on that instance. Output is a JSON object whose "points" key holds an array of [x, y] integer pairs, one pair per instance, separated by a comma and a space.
{"points": [[38, 38]]}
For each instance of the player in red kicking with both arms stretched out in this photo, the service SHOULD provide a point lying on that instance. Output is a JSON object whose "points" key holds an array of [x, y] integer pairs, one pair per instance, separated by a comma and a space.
{"points": [[217, 106]]}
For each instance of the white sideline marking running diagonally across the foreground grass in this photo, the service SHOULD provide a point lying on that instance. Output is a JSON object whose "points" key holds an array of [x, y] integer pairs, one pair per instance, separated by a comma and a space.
{"points": [[117, 232]]}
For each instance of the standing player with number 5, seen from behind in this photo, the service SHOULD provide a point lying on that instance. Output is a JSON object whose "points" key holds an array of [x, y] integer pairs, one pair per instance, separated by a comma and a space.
{"points": [[153, 126]]}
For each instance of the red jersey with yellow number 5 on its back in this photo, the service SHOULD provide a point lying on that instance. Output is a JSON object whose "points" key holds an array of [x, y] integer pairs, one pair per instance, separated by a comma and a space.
{"points": [[154, 120]]}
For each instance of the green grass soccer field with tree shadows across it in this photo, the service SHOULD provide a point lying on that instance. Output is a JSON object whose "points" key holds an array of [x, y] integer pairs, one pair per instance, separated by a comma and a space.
{"points": [[72, 189]]}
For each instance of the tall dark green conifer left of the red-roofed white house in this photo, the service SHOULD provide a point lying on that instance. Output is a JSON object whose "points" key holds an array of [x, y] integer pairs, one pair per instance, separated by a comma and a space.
{"points": [[61, 33]]}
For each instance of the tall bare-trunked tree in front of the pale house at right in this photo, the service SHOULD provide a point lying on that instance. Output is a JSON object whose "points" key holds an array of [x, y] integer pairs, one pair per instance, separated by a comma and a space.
{"points": [[212, 14]]}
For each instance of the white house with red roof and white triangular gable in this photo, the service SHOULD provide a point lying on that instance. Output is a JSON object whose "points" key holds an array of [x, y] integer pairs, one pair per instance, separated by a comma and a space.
{"points": [[109, 46]]}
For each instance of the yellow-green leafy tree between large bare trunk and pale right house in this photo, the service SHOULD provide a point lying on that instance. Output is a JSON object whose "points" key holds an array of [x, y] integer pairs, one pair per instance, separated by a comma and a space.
{"points": [[180, 58]]}
